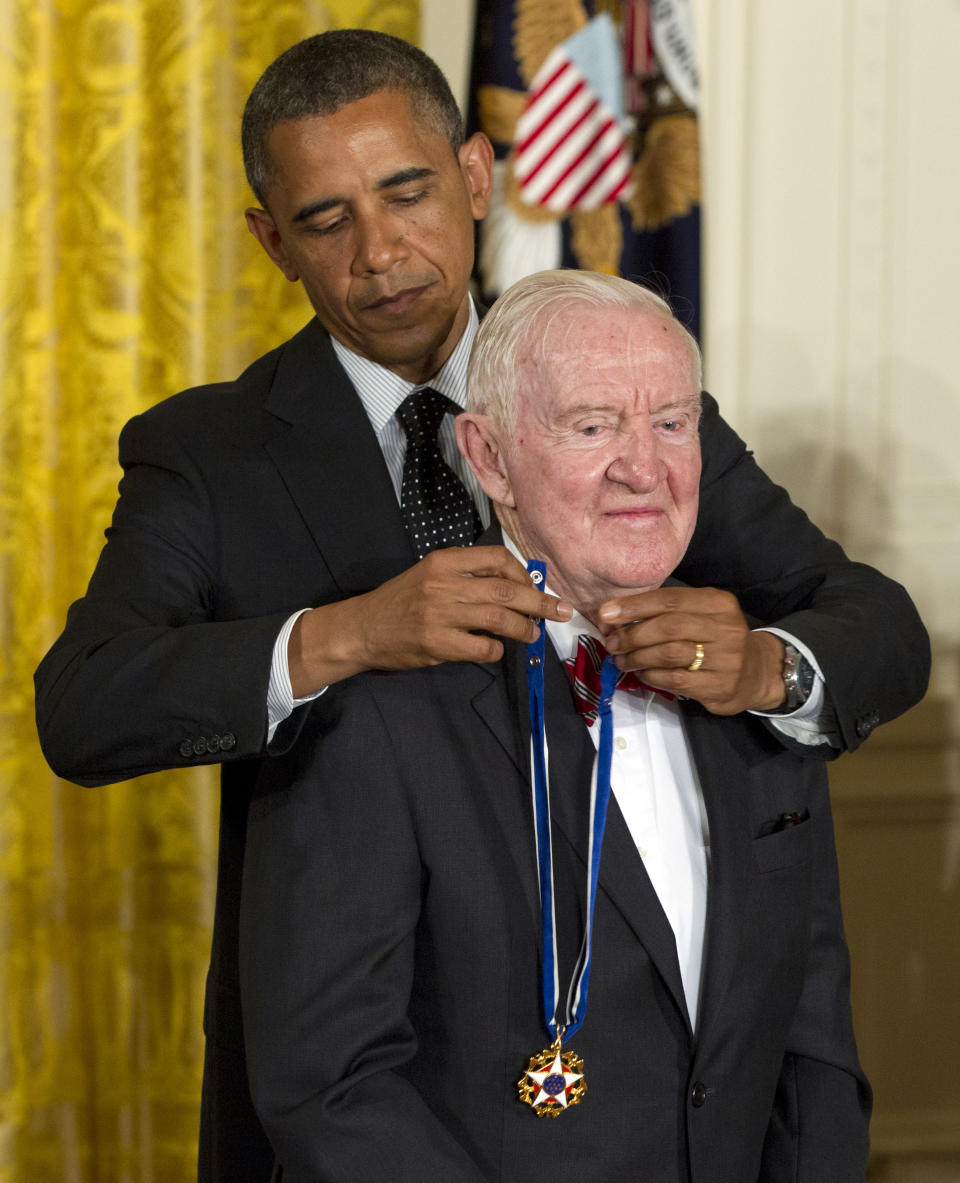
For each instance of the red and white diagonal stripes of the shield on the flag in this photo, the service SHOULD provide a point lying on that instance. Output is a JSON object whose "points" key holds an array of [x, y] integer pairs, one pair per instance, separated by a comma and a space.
{"points": [[571, 153]]}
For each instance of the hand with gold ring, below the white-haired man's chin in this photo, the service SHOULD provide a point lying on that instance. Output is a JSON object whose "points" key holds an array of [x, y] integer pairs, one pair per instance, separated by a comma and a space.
{"points": [[658, 633]]}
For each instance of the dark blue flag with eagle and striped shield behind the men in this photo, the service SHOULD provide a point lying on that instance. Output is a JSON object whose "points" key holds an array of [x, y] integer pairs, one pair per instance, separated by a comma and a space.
{"points": [[592, 109]]}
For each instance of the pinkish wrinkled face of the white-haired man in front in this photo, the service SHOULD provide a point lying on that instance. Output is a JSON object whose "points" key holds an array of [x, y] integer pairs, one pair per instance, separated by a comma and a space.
{"points": [[603, 471]]}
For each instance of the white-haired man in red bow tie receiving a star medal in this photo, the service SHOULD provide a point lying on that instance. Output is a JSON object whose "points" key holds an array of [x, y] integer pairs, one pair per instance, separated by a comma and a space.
{"points": [[542, 919]]}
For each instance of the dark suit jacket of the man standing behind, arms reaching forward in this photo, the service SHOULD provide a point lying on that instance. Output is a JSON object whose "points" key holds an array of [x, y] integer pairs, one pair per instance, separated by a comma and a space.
{"points": [[246, 501]]}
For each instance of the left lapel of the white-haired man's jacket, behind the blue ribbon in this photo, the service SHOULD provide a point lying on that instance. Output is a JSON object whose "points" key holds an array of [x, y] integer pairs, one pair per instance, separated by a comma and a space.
{"points": [[623, 877]]}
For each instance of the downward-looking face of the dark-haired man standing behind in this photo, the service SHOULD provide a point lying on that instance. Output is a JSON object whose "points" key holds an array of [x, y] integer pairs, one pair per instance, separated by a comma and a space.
{"points": [[373, 212]]}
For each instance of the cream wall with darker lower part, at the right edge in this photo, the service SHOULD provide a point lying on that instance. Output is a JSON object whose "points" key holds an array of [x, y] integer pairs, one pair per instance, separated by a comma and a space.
{"points": [[832, 139]]}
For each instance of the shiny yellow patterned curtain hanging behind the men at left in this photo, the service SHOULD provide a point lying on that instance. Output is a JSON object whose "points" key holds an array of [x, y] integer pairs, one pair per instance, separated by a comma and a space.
{"points": [[126, 274]]}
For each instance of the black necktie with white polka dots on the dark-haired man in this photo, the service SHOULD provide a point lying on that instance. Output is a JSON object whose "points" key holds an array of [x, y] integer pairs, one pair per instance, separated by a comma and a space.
{"points": [[437, 509]]}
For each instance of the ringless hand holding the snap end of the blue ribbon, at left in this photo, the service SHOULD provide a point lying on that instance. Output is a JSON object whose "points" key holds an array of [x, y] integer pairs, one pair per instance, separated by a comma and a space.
{"points": [[449, 607]]}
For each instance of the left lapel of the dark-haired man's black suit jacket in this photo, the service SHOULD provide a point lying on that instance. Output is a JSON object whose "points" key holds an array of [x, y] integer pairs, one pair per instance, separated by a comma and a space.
{"points": [[332, 466]]}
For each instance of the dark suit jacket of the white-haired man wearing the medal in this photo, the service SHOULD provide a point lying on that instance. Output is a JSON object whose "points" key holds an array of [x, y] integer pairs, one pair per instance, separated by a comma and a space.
{"points": [[390, 955]]}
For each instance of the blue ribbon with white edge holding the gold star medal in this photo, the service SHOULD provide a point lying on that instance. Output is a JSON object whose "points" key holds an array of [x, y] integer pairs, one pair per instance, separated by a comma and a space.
{"points": [[600, 799]]}
